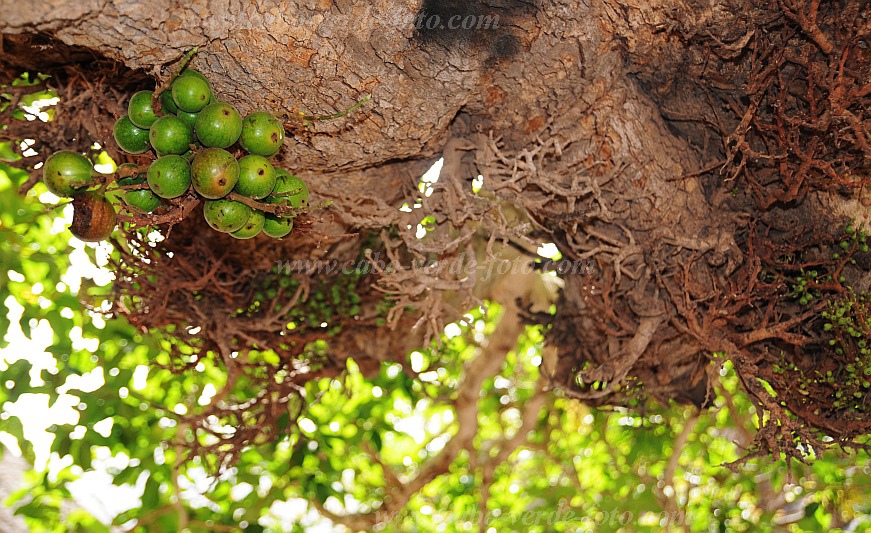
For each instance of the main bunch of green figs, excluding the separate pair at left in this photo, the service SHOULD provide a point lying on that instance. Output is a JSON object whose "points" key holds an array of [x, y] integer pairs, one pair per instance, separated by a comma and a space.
{"points": [[191, 138]]}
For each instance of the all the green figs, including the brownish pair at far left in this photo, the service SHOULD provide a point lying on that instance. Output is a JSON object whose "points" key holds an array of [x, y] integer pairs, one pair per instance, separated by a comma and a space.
{"points": [[190, 134]]}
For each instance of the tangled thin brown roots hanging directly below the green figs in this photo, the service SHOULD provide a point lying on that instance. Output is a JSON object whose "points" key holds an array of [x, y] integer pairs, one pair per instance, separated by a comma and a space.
{"points": [[217, 299]]}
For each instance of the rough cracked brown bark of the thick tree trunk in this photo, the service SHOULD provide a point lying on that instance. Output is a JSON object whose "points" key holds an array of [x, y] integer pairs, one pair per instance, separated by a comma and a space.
{"points": [[579, 119]]}
